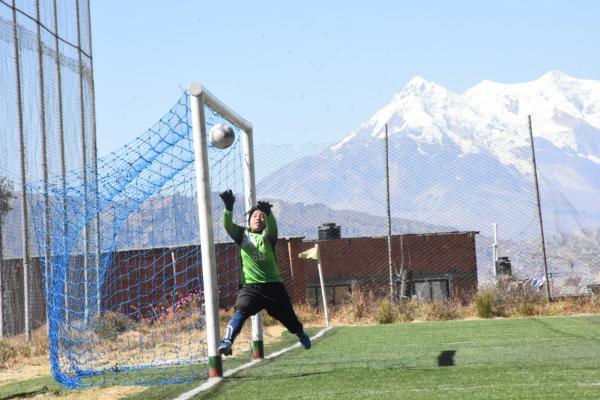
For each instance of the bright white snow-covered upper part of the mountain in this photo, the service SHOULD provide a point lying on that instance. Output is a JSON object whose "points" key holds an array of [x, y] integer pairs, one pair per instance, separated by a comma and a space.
{"points": [[492, 117]]}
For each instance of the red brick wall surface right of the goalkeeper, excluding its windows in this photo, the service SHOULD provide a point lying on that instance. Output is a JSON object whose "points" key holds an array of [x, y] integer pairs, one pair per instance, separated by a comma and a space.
{"points": [[365, 260]]}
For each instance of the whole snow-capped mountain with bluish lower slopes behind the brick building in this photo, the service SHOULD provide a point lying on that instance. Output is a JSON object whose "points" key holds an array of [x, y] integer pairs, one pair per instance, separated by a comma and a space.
{"points": [[464, 160]]}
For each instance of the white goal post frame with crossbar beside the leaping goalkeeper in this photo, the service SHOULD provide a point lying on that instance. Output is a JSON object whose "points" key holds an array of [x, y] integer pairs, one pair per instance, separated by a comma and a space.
{"points": [[199, 97]]}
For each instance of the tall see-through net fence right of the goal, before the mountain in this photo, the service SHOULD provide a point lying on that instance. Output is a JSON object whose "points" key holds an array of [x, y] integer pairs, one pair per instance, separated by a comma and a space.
{"points": [[444, 201]]}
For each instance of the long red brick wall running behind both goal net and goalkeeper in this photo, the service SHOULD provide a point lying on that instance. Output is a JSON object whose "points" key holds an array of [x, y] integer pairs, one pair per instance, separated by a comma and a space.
{"points": [[153, 279]]}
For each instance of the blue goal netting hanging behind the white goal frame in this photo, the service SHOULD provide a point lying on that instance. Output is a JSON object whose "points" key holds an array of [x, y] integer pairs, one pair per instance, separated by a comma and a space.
{"points": [[125, 291]]}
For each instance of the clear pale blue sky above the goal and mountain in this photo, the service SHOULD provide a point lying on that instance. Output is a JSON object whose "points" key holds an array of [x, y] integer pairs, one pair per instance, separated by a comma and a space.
{"points": [[313, 71]]}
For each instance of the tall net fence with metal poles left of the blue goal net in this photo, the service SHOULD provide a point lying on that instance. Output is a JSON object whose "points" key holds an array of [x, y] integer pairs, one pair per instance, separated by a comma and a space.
{"points": [[46, 130]]}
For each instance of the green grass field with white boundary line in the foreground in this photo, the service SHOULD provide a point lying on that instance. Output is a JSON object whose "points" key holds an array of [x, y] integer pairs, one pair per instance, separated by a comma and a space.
{"points": [[533, 358]]}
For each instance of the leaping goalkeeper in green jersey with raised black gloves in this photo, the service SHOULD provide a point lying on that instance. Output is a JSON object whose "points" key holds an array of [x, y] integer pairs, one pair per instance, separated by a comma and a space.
{"points": [[261, 287]]}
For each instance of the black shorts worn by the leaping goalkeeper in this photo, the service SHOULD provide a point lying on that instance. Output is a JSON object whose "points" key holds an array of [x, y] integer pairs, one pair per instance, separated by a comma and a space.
{"points": [[271, 297]]}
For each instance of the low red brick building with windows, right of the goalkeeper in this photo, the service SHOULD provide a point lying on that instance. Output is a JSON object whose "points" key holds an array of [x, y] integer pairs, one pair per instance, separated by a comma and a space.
{"points": [[437, 266]]}
